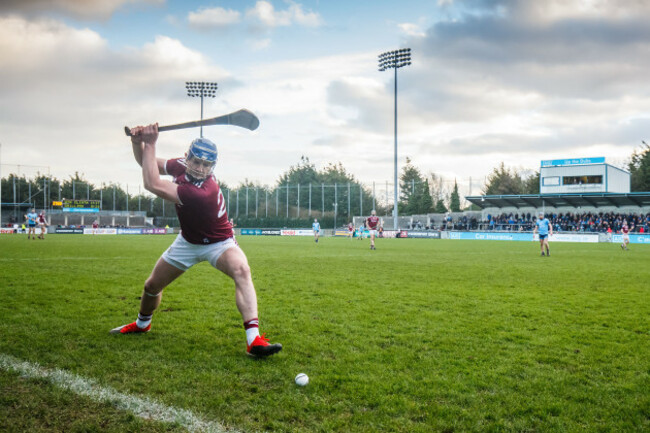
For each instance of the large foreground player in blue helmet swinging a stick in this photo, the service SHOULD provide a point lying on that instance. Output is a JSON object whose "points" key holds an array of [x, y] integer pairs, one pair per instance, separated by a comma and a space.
{"points": [[206, 234]]}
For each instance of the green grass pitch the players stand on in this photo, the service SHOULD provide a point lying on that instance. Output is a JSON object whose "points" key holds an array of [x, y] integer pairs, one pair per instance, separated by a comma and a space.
{"points": [[418, 336]]}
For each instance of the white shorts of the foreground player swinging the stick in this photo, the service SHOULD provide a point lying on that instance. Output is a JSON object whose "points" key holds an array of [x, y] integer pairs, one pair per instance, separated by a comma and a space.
{"points": [[183, 255]]}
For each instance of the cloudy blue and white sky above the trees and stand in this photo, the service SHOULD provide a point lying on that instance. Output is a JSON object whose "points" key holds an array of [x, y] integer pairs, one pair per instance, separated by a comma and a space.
{"points": [[491, 81]]}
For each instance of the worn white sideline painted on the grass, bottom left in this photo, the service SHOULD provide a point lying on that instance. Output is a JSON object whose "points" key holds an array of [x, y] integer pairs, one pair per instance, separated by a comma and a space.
{"points": [[142, 407]]}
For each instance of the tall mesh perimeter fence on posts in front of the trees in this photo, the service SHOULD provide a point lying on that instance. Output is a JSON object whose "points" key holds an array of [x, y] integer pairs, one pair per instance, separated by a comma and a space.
{"points": [[290, 205]]}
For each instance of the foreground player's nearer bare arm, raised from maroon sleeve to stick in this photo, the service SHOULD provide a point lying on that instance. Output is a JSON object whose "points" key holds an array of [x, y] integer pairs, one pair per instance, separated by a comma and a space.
{"points": [[150, 169]]}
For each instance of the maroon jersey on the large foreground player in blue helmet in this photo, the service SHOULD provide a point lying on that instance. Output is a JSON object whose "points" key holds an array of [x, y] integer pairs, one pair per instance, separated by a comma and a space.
{"points": [[202, 211]]}
